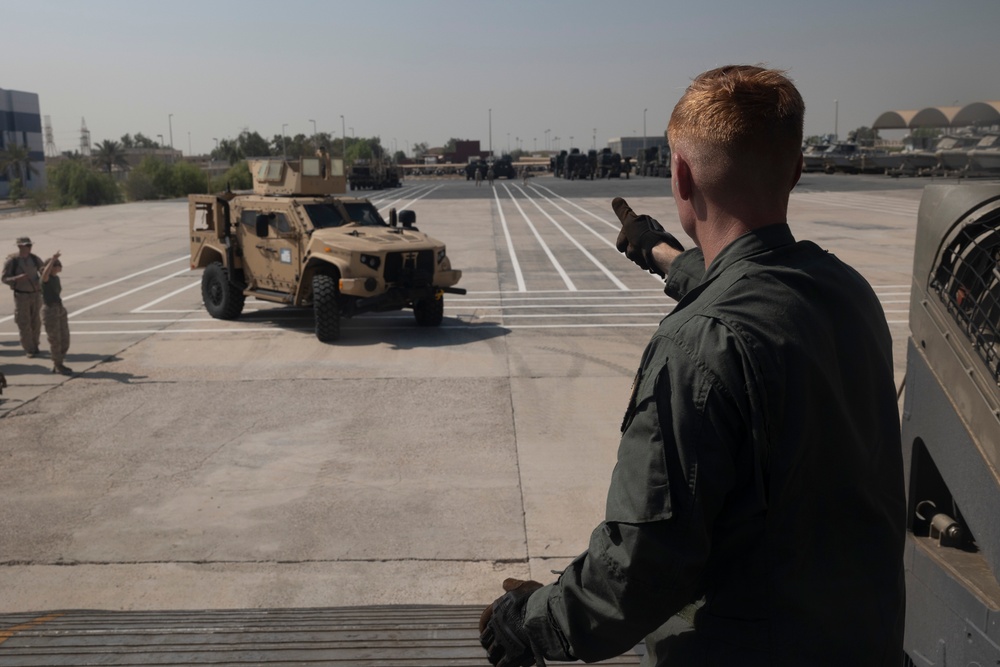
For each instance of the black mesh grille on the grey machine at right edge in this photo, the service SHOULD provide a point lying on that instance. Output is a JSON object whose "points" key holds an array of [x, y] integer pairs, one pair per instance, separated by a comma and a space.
{"points": [[968, 282]]}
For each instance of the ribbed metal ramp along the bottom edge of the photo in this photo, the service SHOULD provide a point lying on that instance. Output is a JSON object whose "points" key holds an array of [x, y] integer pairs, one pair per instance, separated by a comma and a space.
{"points": [[387, 636]]}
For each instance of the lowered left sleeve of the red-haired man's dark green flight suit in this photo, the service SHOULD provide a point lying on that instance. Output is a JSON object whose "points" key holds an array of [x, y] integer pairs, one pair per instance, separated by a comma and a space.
{"points": [[645, 562]]}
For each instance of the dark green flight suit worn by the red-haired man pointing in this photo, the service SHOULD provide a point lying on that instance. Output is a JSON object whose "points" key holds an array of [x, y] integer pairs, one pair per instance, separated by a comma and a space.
{"points": [[759, 468]]}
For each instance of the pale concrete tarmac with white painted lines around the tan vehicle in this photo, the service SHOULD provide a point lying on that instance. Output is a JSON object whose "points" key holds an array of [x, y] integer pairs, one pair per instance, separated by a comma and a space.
{"points": [[196, 463]]}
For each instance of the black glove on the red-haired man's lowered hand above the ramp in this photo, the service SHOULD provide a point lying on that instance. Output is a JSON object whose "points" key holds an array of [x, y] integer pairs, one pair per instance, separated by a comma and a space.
{"points": [[501, 627]]}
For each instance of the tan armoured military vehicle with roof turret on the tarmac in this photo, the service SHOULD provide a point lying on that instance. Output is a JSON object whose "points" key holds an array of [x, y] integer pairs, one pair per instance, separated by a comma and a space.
{"points": [[293, 242]]}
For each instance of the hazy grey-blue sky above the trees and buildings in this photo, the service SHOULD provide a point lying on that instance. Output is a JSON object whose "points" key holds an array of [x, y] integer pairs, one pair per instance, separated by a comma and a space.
{"points": [[429, 70]]}
